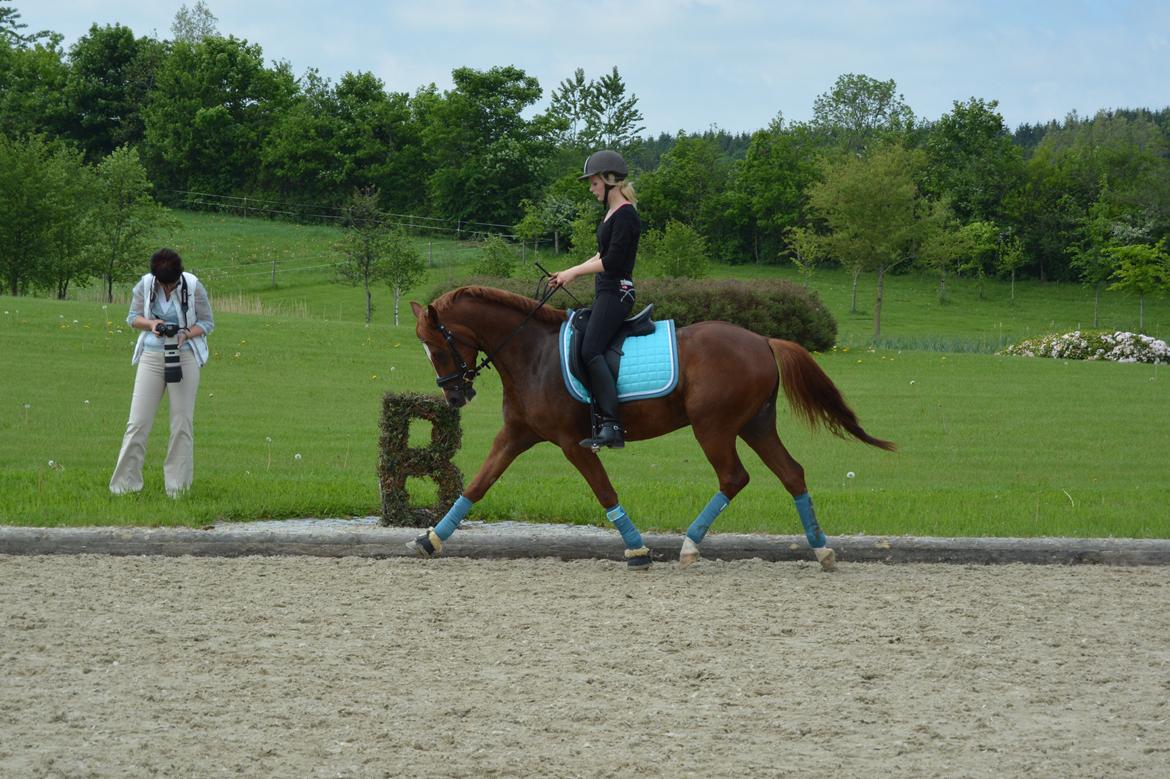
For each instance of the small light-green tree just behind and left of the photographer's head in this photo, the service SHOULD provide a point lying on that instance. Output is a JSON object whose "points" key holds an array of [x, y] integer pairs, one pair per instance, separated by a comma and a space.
{"points": [[126, 218]]}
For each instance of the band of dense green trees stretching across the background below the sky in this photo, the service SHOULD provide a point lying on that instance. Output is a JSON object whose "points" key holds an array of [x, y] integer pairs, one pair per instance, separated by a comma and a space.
{"points": [[202, 113]]}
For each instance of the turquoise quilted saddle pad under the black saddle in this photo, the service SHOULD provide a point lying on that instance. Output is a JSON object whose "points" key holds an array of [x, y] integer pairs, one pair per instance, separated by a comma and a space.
{"points": [[650, 366]]}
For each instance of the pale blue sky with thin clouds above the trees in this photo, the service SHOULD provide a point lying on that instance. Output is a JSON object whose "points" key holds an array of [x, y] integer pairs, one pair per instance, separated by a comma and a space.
{"points": [[697, 65]]}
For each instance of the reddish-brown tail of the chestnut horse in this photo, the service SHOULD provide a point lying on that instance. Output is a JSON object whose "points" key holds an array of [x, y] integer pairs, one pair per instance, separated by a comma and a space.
{"points": [[814, 396]]}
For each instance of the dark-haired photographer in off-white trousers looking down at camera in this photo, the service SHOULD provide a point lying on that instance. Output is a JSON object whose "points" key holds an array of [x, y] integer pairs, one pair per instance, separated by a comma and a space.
{"points": [[171, 309]]}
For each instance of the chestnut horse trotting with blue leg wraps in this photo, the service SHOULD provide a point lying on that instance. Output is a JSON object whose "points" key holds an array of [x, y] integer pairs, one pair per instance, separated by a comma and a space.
{"points": [[727, 389]]}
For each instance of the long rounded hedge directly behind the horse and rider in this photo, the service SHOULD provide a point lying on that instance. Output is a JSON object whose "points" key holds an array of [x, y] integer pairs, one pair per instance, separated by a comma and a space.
{"points": [[777, 309]]}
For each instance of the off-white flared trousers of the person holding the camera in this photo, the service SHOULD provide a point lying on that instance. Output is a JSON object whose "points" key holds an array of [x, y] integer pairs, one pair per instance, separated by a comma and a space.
{"points": [[180, 468]]}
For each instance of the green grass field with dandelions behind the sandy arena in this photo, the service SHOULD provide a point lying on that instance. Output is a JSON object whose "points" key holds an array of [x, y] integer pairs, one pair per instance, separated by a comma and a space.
{"points": [[989, 445]]}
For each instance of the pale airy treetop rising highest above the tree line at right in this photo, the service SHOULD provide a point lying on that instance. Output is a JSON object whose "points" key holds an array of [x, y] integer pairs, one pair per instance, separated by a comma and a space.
{"points": [[861, 109]]}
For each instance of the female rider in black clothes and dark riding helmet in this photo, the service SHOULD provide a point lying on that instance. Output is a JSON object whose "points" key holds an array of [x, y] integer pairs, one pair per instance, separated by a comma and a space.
{"points": [[617, 242]]}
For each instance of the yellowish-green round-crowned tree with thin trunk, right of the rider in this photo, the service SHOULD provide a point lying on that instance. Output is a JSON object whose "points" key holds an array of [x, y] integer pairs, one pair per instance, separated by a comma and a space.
{"points": [[873, 211]]}
